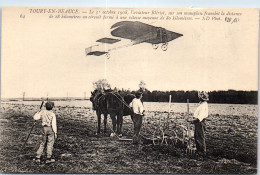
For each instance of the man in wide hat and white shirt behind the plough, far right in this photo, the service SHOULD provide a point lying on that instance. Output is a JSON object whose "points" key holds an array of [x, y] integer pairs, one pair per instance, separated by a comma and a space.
{"points": [[200, 114]]}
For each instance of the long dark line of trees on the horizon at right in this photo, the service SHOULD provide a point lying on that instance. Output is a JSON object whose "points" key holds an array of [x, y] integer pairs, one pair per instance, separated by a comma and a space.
{"points": [[229, 97]]}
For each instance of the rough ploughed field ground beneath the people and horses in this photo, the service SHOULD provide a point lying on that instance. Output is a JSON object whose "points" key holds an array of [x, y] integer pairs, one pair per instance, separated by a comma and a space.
{"points": [[231, 143]]}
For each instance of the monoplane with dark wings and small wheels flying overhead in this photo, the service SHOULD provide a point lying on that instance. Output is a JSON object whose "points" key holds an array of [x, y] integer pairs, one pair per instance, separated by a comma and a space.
{"points": [[135, 33]]}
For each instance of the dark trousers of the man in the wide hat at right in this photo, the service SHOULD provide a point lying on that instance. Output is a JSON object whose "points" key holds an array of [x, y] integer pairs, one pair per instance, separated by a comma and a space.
{"points": [[199, 135]]}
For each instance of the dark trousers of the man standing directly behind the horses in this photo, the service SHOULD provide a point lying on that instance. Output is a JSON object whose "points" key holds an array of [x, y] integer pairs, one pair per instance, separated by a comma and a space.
{"points": [[137, 120]]}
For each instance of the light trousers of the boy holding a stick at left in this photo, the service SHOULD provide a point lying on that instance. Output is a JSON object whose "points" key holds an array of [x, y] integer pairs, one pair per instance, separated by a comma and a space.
{"points": [[47, 139]]}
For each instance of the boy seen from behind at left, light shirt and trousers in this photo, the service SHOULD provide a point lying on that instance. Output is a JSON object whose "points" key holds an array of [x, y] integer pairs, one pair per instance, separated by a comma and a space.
{"points": [[48, 119]]}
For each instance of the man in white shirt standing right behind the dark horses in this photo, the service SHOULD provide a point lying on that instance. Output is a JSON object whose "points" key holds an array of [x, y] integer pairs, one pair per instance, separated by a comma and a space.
{"points": [[137, 116]]}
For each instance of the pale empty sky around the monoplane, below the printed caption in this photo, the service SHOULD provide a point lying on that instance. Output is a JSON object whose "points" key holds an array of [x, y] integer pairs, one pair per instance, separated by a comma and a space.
{"points": [[43, 56]]}
